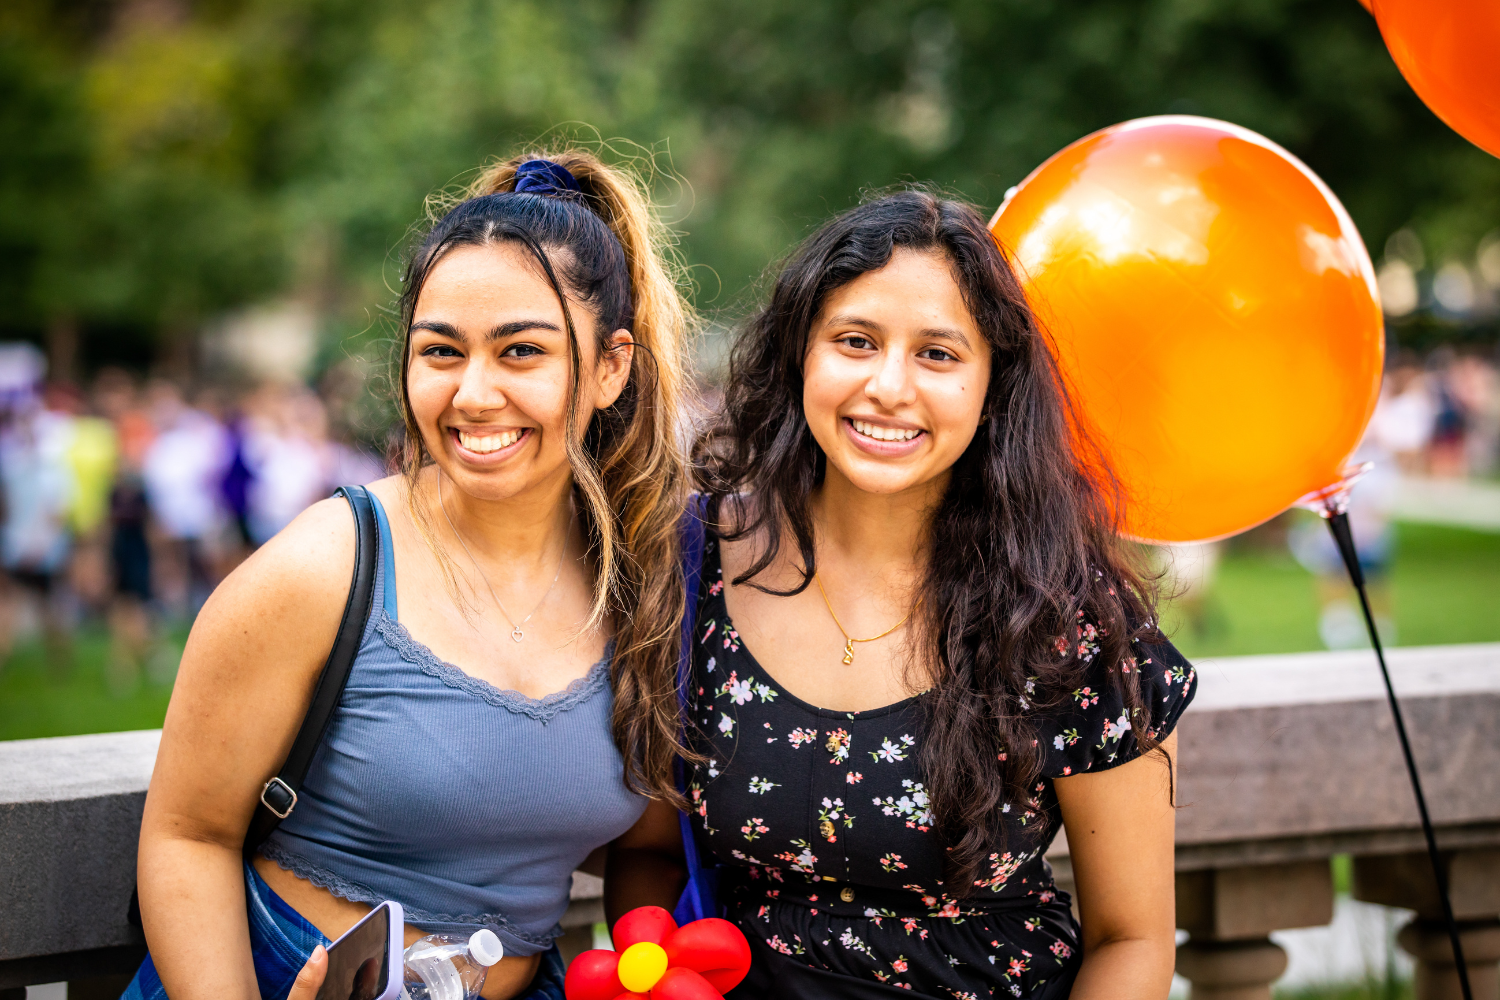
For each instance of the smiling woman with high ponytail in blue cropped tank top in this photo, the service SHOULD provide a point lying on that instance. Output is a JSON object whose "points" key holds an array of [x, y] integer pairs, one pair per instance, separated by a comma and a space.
{"points": [[512, 705]]}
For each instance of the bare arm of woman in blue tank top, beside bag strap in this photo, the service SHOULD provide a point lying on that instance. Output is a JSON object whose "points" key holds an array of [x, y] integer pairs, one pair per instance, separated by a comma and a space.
{"points": [[244, 687]]}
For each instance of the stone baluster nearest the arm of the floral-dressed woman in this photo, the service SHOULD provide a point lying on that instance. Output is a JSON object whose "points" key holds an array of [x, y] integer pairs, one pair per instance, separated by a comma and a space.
{"points": [[1229, 915]]}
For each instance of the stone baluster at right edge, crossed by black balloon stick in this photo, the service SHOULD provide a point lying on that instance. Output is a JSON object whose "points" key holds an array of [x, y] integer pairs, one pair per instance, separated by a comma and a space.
{"points": [[1474, 887]]}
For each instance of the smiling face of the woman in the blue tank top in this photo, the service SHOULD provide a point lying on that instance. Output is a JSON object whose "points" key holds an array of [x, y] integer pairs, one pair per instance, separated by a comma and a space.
{"points": [[488, 373]]}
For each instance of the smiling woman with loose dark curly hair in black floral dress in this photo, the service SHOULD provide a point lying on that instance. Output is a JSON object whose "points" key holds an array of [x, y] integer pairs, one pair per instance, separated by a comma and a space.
{"points": [[920, 651]]}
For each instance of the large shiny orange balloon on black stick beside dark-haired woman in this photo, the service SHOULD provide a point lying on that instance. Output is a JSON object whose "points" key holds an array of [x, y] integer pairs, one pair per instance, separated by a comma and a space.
{"points": [[1214, 314]]}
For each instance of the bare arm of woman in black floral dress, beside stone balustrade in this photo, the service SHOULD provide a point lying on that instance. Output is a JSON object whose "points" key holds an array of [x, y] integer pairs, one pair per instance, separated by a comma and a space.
{"points": [[1121, 831]]}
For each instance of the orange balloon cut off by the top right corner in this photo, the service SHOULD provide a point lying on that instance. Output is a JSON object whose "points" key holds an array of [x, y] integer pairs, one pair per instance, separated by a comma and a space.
{"points": [[1450, 52]]}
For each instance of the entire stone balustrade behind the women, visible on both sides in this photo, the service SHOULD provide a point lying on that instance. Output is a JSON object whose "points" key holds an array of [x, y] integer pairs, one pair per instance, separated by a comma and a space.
{"points": [[1285, 762]]}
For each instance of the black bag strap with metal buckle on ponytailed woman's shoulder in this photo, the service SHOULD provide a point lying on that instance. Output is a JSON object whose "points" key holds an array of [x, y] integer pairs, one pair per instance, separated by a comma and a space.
{"points": [[280, 795]]}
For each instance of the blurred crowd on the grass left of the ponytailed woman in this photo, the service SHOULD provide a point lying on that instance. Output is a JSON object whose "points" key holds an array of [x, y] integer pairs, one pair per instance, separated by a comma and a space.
{"points": [[130, 501]]}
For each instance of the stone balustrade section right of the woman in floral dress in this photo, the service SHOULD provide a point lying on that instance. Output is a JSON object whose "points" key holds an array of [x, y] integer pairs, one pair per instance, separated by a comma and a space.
{"points": [[1291, 759]]}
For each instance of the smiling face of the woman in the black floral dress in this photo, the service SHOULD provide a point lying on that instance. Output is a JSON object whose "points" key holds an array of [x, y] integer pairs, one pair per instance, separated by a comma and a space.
{"points": [[895, 377]]}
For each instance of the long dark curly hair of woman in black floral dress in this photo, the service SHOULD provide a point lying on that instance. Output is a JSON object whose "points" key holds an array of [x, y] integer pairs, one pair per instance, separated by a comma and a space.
{"points": [[1027, 525]]}
